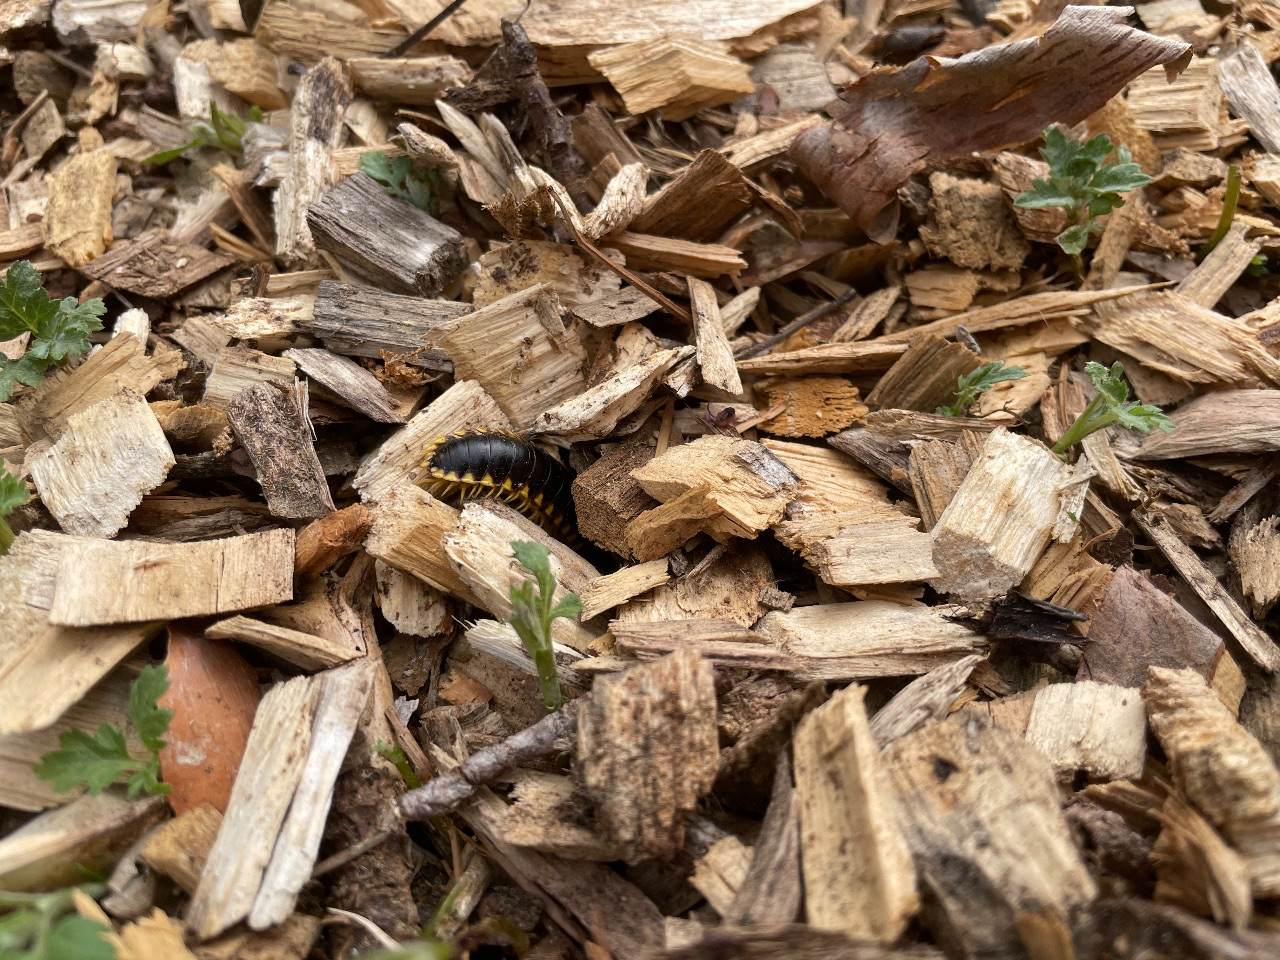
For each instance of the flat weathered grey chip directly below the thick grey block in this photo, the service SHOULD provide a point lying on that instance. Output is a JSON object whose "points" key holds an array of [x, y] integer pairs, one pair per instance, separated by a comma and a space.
{"points": [[364, 322]]}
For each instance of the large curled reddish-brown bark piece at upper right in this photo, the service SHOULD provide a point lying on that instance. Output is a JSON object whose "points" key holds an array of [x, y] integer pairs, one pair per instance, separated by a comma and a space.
{"points": [[892, 124]]}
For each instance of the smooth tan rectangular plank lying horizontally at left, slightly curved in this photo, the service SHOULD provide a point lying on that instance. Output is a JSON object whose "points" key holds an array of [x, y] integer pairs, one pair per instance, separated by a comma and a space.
{"points": [[168, 582]]}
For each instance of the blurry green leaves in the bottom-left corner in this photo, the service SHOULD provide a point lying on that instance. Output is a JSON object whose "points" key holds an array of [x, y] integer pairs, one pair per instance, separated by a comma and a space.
{"points": [[47, 927]]}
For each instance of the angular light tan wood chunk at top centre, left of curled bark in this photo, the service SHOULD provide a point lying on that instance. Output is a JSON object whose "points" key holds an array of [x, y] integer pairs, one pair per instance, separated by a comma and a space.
{"points": [[679, 75]]}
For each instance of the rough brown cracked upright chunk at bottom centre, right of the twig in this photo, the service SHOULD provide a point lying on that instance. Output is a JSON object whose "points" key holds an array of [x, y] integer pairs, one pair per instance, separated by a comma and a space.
{"points": [[648, 751]]}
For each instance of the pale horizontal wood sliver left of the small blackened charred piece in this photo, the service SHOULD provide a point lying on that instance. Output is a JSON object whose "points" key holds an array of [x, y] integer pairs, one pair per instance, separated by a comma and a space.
{"points": [[868, 639]]}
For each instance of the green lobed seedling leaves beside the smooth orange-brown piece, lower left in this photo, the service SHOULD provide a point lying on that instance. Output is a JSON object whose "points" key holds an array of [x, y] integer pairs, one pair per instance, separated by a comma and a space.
{"points": [[100, 760]]}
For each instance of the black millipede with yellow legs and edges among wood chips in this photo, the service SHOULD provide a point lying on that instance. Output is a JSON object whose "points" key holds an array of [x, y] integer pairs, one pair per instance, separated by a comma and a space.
{"points": [[499, 465]]}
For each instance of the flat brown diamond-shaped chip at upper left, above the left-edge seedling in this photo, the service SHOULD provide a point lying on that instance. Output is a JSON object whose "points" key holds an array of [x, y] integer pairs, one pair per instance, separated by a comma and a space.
{"points": [[156, 266]]}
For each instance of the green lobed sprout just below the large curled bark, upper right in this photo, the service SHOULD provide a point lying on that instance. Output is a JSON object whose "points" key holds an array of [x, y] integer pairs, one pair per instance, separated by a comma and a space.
{"points": [[1084, 184]]}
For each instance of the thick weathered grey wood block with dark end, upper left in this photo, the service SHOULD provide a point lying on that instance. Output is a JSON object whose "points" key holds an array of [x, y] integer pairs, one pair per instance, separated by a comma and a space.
{"points": [[388, 241]]}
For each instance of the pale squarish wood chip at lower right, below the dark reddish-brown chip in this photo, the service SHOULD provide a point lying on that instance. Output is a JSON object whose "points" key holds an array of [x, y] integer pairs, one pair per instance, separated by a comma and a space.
{"points": [[1100, 729]]}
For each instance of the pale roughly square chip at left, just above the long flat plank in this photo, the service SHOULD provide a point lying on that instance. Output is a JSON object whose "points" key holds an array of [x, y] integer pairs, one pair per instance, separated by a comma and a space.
{"points": [[108, 460]]}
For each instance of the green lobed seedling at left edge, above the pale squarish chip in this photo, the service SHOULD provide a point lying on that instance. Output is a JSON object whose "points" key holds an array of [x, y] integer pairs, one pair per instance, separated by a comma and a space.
{"points": [[60, 328]]}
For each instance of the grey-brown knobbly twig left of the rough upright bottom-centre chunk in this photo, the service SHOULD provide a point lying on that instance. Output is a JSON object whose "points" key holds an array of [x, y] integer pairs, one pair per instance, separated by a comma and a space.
{"points": [[449, 790]]}
